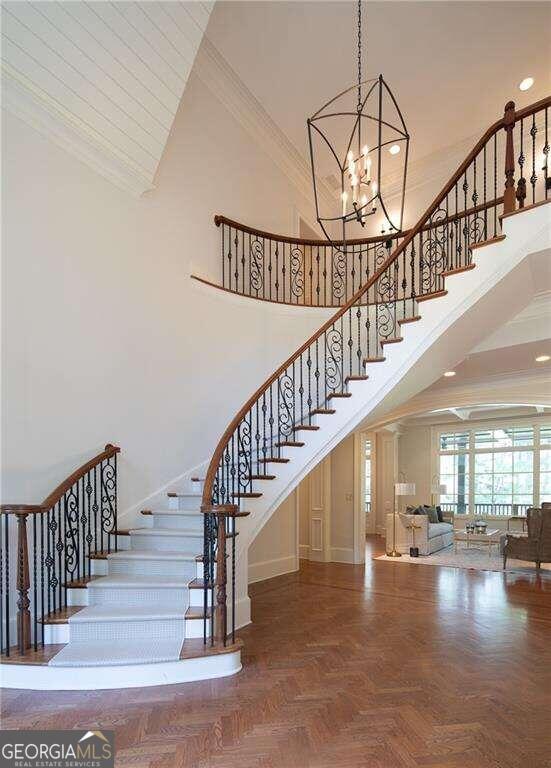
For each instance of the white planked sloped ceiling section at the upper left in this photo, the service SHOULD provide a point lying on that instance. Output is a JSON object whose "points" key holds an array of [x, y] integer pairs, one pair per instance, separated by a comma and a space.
{"points": [[105, 78]]}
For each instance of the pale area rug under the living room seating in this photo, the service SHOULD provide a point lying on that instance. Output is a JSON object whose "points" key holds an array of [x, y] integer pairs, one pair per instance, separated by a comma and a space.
{"points": [[472, 558]]}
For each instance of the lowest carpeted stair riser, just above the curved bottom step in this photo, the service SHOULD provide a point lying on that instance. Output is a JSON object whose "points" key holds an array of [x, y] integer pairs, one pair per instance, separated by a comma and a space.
{"points": [[169, 629]]}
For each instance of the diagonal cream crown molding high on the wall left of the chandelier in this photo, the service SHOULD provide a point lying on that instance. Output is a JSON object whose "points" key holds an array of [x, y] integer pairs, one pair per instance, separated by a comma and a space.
{"points": [[224, 83]]}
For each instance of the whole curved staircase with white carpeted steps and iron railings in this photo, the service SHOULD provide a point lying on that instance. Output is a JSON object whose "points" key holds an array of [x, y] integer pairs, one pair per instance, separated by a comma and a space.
{"points": [[161, 601]]}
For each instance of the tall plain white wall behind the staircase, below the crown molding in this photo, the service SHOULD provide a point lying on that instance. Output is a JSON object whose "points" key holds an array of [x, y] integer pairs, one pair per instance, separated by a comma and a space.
{"points": [[105, 337]]}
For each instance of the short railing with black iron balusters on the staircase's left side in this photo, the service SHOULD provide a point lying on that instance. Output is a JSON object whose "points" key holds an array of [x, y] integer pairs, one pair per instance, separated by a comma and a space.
{"points": [[52, 547]]}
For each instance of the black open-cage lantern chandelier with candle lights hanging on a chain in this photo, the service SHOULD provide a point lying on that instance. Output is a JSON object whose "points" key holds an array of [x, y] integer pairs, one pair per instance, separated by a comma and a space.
{"points": [[361, 150]]}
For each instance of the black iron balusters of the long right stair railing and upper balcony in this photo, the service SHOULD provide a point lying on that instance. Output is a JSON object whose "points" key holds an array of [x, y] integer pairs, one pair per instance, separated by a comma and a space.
{"points": [[397, 275]]}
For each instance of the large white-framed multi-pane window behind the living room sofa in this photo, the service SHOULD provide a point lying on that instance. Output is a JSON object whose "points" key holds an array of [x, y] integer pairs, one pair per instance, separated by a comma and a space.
{"points": [[497, 470]]}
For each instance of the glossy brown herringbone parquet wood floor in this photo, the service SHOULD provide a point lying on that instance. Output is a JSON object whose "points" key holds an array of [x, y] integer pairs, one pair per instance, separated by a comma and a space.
{"points": [[391, 666]]}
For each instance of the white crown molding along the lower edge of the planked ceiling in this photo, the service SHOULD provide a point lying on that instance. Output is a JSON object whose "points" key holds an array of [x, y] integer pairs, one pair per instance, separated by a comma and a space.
{"points": [[35, 107]]}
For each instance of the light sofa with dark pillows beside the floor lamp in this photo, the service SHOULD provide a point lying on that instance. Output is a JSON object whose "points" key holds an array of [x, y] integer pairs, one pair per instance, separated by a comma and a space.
{"points": [[429, 536]]}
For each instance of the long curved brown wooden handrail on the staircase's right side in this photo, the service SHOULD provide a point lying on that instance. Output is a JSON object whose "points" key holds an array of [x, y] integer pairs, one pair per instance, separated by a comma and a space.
{"points": [[503, 122]]}
